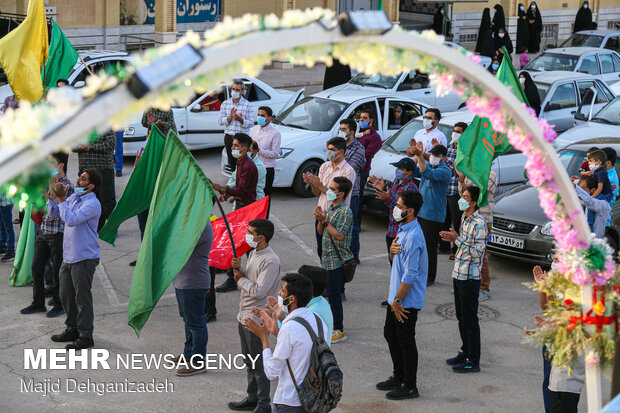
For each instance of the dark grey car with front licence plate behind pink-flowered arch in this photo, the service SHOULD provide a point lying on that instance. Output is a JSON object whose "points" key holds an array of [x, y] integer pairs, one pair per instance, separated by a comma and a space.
{"points": [[522, 232]]}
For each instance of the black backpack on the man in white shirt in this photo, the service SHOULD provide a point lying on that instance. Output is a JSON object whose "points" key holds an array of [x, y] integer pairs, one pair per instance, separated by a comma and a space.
{"points": [[321, 389]]}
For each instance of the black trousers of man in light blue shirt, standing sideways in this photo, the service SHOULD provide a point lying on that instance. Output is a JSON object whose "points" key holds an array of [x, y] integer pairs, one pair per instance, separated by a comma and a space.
{"points": [[403, 349]]}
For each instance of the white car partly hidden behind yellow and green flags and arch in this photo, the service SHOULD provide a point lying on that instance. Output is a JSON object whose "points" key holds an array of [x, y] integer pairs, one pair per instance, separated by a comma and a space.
{"points": [[96, 60]]}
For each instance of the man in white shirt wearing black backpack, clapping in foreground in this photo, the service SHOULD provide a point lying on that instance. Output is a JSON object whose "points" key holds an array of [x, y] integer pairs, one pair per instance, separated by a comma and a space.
{"points": [[294, 343]]}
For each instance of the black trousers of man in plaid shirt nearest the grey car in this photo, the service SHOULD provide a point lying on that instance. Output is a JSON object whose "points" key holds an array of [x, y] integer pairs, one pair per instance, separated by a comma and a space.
{"points": [[466, 305]]}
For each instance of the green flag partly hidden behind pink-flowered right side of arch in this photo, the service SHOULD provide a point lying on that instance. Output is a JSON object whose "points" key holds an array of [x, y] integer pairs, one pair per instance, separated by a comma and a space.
{"points": [[480, 143]]}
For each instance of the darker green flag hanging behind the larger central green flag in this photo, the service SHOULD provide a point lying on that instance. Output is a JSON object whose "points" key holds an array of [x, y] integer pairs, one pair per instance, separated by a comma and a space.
{"points": [[139, 190]]}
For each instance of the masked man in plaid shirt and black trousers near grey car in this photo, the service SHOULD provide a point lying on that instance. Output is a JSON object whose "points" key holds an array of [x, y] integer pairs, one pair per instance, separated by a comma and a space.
{"points": [[471, 243]]}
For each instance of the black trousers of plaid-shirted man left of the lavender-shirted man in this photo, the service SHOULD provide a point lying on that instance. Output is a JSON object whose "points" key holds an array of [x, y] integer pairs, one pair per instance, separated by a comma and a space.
{"points": [[46, 248]]}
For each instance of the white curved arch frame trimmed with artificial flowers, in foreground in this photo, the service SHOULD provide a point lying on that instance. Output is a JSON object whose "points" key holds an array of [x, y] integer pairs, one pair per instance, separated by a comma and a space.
{"points": [[95, 114]]}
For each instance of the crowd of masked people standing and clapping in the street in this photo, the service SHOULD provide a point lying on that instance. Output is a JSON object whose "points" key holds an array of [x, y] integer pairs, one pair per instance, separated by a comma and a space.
{"points": [[431, 204]]}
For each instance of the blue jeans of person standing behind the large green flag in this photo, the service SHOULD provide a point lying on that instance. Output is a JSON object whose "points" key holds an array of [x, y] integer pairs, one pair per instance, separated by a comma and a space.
{"points": [[192, 310]]}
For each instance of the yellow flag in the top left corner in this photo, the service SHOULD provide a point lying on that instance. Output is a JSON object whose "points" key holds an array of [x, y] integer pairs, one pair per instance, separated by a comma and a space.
{"points": [[23, 52]]}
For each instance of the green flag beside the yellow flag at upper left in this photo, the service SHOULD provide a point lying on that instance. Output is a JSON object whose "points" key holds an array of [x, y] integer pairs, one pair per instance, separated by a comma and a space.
{"points": [[62, 58]]}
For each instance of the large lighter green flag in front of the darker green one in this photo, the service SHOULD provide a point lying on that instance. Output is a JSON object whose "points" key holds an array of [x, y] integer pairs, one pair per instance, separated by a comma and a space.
{"points": [[178, 215]]}
